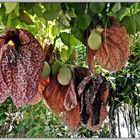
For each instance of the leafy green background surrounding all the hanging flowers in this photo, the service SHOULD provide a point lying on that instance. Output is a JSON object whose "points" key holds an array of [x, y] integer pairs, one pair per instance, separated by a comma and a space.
{"points": [[65, 24]]}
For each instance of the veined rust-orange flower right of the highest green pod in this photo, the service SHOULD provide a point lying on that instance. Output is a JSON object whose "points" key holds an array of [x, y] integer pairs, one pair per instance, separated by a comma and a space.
{"points": [[113, 53]]}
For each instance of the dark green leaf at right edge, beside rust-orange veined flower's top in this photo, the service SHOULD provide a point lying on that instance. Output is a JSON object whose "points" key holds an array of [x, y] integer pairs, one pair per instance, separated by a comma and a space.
{"points": [[131, 23]]}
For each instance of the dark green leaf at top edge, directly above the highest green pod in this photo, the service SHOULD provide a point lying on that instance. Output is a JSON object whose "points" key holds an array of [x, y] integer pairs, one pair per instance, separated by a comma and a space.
{"points": [[97, 7]]}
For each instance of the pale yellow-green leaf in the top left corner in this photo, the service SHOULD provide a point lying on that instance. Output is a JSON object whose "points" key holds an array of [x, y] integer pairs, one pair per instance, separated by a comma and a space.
{"points": [[10, 6]]}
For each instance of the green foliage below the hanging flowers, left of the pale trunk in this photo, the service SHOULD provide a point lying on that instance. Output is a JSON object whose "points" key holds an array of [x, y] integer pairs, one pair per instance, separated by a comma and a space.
{"points": [[36, 121]]}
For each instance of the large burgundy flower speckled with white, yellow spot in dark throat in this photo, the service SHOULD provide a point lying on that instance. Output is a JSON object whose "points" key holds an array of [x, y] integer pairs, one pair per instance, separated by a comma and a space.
{"points": [[21, 66]]}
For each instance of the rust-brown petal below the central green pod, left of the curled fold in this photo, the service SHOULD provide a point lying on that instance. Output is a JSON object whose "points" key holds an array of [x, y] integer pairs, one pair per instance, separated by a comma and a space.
{"points": [[54, 94]]}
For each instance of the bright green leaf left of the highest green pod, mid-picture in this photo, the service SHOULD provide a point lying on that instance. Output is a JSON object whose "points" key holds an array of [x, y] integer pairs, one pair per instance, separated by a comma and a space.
{"points": [[68, 39]]}
